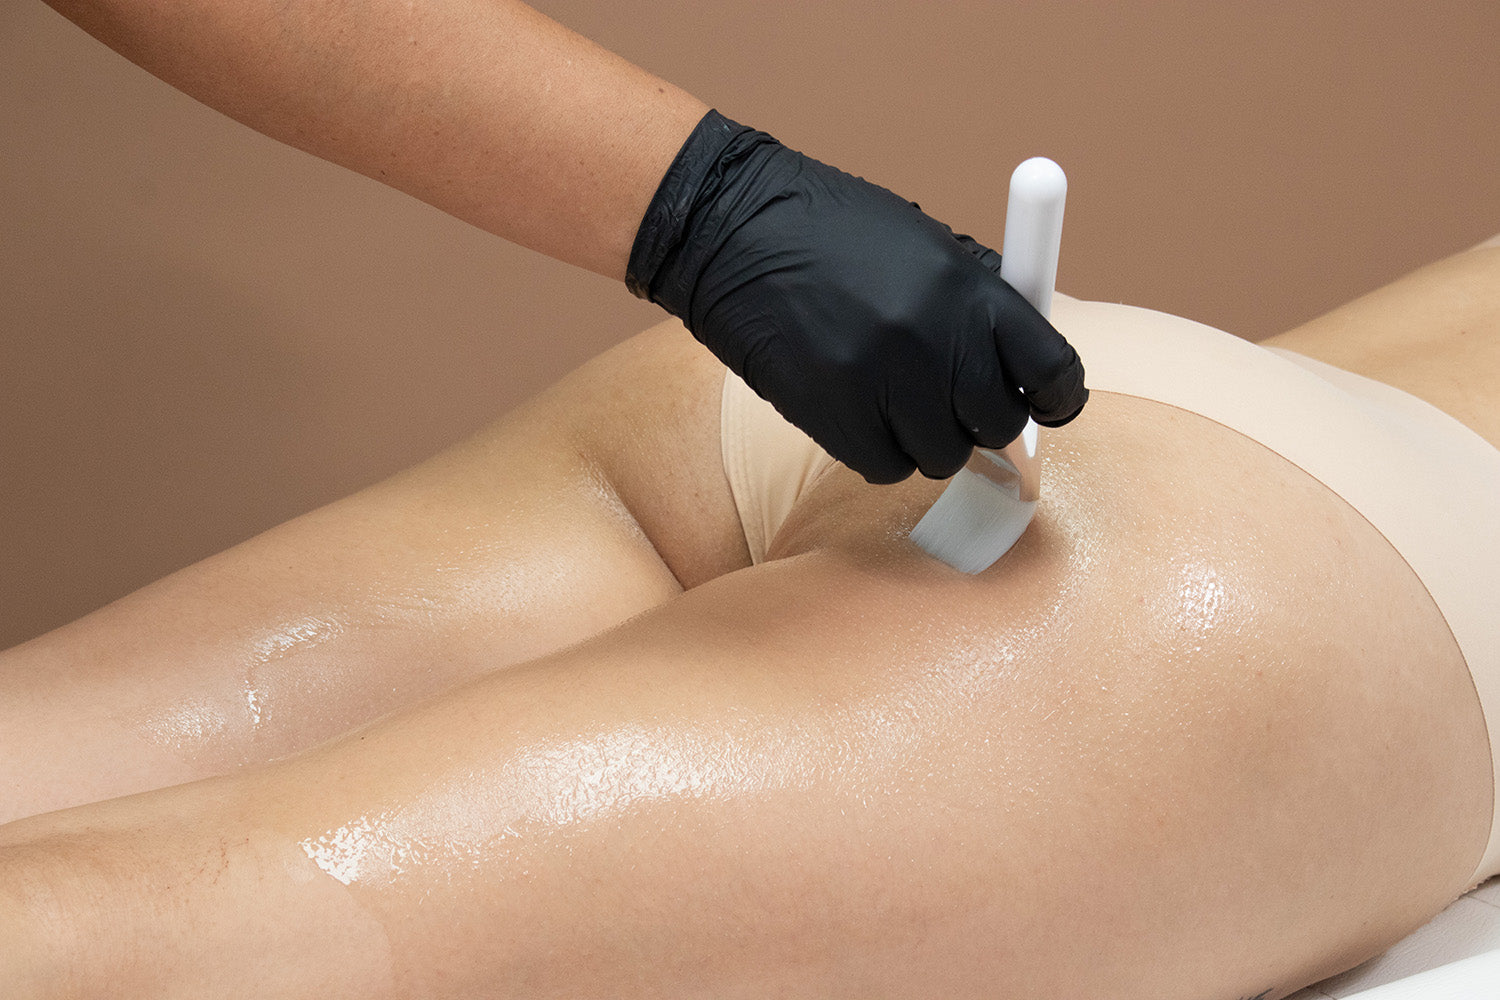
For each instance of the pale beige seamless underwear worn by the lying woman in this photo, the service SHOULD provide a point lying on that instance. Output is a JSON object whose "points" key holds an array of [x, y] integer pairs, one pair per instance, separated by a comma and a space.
{"points": [[1430, 485]]}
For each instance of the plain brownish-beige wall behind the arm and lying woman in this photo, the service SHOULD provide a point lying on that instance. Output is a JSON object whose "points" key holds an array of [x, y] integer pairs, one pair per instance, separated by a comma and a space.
{"points": [[203, 334]]}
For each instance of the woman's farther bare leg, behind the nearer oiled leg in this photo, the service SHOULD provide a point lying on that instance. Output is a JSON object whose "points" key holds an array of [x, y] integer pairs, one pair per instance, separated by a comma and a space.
{"points": [[533, 534]]}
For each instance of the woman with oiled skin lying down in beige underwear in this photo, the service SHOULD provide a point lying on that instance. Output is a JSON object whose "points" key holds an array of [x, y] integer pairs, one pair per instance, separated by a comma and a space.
{"points": [[638, 695]]}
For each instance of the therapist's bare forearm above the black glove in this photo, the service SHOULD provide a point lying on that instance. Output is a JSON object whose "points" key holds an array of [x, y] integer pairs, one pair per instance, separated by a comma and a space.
{"points": [[484, 109]]}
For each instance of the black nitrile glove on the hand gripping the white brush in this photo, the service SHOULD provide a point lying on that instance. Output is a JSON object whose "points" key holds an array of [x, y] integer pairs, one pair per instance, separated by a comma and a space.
{"points": [[884, 337]]}
